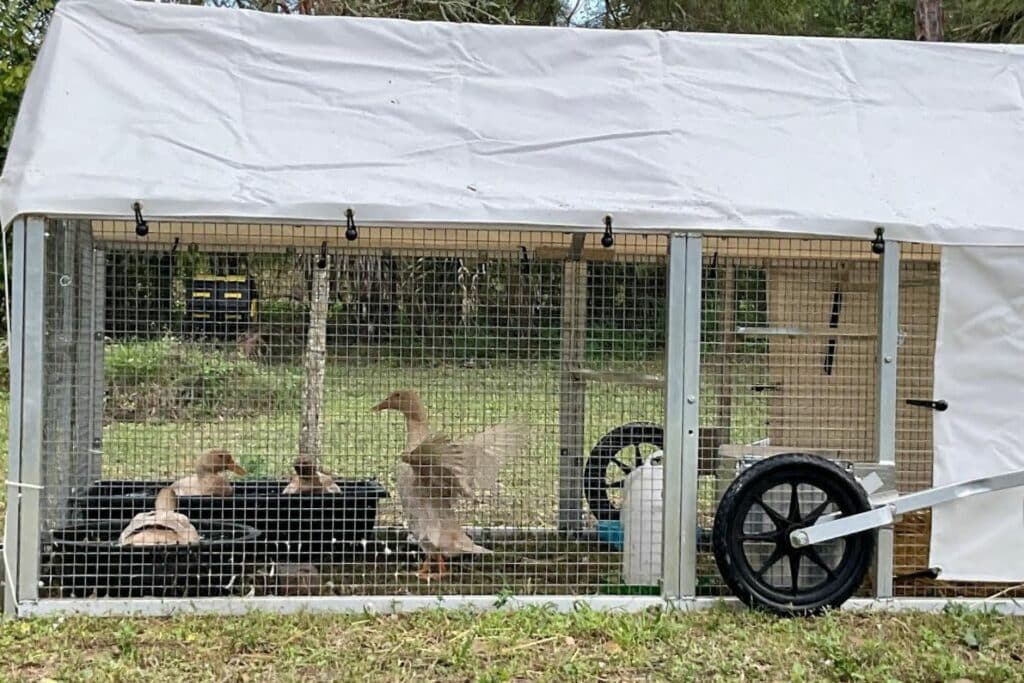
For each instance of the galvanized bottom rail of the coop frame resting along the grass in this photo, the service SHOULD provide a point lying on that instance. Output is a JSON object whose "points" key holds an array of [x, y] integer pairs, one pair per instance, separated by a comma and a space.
{"points": [[390, 605]]}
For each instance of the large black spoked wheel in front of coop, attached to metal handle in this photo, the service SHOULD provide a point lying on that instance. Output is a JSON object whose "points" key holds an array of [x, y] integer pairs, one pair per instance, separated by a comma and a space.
{"points": [[751, 538]]}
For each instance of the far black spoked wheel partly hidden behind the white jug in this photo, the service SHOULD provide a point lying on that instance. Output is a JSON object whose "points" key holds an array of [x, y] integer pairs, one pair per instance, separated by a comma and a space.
{"points": [[618, 454]]}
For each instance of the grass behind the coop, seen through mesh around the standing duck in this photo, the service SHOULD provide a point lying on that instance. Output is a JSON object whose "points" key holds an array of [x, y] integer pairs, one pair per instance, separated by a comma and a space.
{"points": [[364, 445]]}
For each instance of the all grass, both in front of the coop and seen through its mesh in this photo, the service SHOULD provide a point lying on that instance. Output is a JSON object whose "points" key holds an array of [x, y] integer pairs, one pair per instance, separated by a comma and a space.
{"points": [[532, 645]]}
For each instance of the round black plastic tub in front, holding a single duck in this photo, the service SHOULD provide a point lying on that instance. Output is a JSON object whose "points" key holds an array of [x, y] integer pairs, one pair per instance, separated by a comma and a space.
{"points": [[87, 561]]}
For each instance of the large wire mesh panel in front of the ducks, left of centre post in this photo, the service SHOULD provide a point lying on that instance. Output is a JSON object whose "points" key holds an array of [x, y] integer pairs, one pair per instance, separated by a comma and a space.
{"points": [[247, 410]]}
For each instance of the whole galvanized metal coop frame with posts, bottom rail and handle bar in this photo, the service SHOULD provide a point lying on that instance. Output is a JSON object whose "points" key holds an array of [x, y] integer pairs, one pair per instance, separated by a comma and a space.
{"points": [[681, 441]]}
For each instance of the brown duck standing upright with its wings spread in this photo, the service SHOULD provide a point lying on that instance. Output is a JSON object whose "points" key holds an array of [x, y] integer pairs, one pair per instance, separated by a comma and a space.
{"points": [[437, 472]]}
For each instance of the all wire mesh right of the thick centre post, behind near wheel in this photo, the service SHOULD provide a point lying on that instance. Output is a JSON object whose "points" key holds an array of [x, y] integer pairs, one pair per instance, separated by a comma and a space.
{"points": [[790, 365]]}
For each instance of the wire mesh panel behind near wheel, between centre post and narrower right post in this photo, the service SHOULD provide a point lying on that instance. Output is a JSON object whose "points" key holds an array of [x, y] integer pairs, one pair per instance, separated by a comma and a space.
{"points": [[788, 363]]}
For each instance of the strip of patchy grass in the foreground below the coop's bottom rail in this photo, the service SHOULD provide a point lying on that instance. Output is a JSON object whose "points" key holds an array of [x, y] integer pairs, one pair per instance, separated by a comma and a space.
{"points": [[529, 646]]}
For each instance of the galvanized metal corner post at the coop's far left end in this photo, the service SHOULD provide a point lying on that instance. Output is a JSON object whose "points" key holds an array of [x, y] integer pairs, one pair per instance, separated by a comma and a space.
{"points": [[25, 481]]}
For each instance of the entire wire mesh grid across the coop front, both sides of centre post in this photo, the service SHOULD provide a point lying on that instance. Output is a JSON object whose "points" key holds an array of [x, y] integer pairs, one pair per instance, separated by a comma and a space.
{"points": [[214, 336]]}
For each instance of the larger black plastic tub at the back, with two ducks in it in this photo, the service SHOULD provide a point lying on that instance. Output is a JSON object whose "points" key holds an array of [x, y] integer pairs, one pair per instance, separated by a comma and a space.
{"points": [[300, 528]]}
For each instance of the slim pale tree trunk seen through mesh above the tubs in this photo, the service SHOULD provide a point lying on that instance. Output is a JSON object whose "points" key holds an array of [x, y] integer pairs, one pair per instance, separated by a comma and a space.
{"points": [[314, 364]]}
